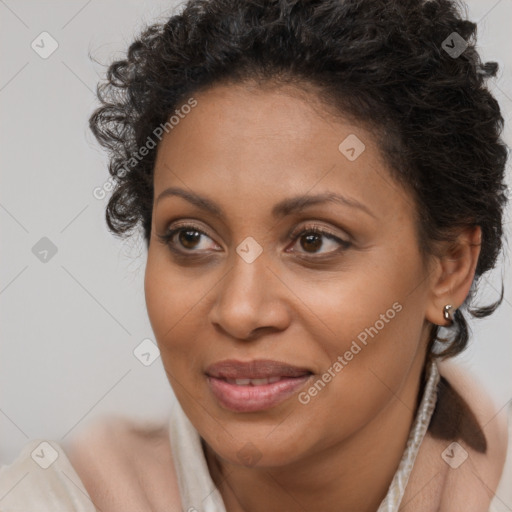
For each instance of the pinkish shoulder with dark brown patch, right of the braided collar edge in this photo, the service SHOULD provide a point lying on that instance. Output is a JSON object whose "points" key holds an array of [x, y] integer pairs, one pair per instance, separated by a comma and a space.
{"points": [[462, 457]]}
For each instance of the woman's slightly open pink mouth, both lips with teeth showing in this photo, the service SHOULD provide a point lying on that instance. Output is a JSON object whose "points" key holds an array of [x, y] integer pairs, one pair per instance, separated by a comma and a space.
{"points": [[255, 385]]}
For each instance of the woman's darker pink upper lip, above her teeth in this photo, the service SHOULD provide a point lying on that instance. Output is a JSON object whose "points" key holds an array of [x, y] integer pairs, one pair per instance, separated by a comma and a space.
{"points": [[255, 369]]}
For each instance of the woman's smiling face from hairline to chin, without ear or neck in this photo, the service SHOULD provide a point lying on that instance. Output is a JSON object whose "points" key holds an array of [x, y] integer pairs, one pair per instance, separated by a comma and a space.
{"points": [[341, 312]]}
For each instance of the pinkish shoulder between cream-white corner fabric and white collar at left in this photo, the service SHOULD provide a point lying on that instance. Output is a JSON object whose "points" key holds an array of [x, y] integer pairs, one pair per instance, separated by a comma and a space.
{"points": [[125, 464]]}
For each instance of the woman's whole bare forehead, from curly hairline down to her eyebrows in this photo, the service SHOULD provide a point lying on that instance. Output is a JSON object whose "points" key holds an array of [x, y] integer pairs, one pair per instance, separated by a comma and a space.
{"points": [[262, 142]]}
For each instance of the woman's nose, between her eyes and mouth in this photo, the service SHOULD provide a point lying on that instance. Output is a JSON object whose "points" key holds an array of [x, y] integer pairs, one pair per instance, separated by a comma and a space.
{"points": [[251, 300]]}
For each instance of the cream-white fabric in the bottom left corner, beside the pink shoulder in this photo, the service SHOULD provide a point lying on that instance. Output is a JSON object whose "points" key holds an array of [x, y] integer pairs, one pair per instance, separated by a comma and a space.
{"points": [[42, 478]]}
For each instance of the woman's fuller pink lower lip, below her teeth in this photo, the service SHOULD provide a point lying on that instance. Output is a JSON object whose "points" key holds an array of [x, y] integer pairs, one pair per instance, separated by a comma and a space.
{"points": [[254, 398]]}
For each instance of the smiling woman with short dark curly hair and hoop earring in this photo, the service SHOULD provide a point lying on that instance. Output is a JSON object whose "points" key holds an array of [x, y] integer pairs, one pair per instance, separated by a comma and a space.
{"points": [[321, 187]]}
